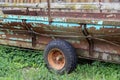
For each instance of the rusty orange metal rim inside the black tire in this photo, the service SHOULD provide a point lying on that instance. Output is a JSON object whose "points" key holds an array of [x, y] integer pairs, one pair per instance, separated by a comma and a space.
{"points": [[56, 59]]}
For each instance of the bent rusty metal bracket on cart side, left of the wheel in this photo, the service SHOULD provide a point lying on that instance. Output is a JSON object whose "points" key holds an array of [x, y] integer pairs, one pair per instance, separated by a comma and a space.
{"points": [[30, 31]]}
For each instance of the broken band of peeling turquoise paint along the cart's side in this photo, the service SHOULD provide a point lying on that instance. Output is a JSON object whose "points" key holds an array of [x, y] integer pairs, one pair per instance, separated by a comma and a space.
{"points": [[56, 21]]}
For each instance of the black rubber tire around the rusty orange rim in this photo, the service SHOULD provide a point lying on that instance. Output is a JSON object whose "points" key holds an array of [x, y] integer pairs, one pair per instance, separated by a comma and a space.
{"points": [[69, 54]]}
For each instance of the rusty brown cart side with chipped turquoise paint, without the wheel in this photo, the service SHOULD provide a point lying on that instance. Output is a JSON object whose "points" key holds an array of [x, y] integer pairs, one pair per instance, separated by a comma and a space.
{"points": [[94, 33]]}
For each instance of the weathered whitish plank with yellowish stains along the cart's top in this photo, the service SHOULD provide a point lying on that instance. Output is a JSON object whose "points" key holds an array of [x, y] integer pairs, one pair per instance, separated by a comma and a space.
{"points": [[84, 6]]}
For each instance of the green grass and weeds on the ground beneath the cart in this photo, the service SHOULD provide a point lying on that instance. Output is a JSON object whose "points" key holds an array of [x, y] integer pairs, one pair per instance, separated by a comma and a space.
{"points": [[19, 64]]}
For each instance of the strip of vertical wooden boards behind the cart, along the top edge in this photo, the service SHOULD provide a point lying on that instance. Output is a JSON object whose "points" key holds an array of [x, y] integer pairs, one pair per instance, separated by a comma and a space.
{"points": [[38, 1]]}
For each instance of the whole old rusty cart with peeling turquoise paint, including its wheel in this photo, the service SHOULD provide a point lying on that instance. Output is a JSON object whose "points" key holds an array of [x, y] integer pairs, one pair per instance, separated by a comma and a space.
{"points": [[64, 31]]}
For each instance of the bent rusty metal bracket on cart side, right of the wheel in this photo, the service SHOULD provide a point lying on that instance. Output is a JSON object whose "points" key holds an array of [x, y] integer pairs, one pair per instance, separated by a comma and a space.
{"points": [[88, 38]]}
